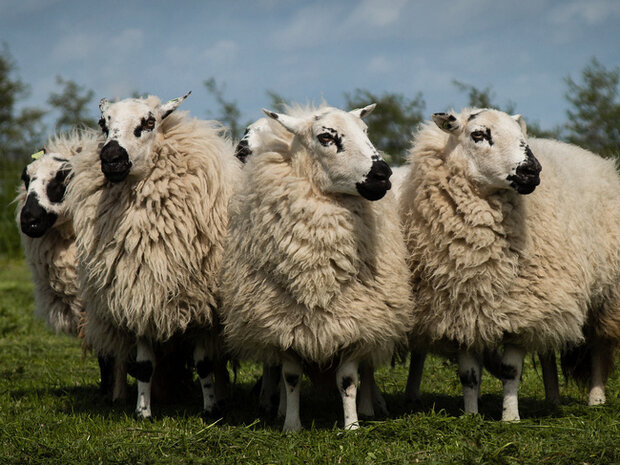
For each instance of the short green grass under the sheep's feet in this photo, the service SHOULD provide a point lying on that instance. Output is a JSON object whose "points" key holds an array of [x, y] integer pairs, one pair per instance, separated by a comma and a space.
{"points": [[51, 412]]}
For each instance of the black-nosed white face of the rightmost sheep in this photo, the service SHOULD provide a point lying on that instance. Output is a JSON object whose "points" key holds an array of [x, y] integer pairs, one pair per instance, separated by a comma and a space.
{"points": [[495, 147]]}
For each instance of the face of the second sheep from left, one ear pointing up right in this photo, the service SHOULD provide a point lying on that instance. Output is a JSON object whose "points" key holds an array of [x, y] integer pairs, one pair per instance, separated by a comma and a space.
{"points": [[130, 127]]}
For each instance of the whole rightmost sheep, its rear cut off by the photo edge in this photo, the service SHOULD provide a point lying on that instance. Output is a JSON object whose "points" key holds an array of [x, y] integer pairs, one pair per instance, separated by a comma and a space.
{"points": [[497, 259]]}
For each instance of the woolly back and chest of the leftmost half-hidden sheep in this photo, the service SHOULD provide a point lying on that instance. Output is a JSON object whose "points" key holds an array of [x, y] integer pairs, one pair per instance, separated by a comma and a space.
{"points": [[53, 258]]}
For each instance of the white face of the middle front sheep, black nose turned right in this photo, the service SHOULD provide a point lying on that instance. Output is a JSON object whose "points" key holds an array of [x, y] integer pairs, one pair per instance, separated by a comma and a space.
{"points": [[337, 140]]}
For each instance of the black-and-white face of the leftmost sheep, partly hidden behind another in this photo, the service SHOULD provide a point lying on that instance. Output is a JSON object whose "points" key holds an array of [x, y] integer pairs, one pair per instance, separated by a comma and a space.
{"points": [[44, 189]]}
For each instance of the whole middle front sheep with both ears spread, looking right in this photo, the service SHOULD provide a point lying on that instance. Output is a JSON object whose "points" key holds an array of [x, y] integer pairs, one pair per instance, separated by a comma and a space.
{"points": [[314, 271]]}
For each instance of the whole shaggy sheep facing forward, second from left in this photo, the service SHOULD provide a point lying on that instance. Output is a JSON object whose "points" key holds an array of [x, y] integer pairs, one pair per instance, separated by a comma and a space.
{"points": [[150, 211]]}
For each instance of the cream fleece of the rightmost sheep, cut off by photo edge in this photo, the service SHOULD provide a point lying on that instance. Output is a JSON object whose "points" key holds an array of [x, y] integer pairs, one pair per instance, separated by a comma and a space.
{"points": [[511, 268]]}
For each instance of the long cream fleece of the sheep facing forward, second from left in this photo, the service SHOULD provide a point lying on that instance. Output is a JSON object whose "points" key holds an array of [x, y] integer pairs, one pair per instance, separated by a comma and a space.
{"points": [[150, 248]]}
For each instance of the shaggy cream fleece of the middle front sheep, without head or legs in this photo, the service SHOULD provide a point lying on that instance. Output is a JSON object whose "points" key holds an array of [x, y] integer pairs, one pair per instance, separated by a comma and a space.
{"points": [[322, 276]]}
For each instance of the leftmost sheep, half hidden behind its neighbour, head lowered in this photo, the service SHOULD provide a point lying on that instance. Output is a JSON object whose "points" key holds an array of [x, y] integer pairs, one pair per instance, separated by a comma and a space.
{"points": [[46, 230]]}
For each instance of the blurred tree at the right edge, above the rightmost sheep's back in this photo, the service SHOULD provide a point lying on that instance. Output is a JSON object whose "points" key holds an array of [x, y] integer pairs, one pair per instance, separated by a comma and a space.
{"points": [[594, 113]]}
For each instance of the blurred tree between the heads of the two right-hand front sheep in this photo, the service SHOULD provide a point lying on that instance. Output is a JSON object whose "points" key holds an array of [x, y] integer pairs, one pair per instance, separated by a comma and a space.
{"points": [[392, 124]]}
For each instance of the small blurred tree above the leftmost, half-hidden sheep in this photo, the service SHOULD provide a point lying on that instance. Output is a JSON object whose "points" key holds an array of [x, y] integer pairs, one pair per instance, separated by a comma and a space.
{"points": [[73, 102]]}
